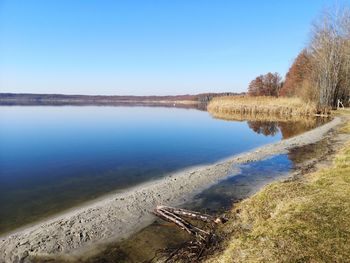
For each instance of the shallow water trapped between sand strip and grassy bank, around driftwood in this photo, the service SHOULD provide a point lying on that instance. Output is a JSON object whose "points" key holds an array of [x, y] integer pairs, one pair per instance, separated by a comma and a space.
{"points": [[149, 242]]}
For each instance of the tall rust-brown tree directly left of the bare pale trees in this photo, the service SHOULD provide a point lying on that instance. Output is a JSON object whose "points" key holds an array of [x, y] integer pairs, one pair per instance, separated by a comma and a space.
{"points": [[297, 81]]}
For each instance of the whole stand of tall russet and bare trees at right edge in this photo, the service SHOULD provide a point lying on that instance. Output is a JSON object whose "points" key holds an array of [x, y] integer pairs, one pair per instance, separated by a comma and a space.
{"points": [[321, 72]]}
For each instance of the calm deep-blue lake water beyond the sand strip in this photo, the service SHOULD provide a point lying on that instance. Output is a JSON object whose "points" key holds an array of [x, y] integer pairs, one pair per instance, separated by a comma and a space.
{"points": [[53, 158]]}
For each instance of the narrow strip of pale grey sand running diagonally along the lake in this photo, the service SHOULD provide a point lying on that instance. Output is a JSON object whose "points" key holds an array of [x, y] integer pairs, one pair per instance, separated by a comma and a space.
{"points": [[119, 215]]}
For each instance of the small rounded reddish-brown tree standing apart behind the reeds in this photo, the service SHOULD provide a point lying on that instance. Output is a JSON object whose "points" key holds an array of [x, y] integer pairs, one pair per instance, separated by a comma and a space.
{"points": [[265, 85]]}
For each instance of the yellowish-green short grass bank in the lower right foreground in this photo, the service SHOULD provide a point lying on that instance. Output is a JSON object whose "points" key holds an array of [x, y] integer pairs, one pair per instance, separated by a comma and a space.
{"points": [[302, 220]]}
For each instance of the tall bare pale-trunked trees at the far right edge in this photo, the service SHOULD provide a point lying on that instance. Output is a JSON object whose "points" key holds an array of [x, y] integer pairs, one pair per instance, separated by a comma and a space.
{"points": [[330, 58]]}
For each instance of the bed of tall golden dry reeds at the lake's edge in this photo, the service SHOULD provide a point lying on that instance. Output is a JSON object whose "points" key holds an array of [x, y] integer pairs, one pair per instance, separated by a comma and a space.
{"points": [[260, 107]]}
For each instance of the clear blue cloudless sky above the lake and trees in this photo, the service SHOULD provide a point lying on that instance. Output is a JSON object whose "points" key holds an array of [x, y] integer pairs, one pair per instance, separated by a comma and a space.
{"points": [[148, 47]]}
